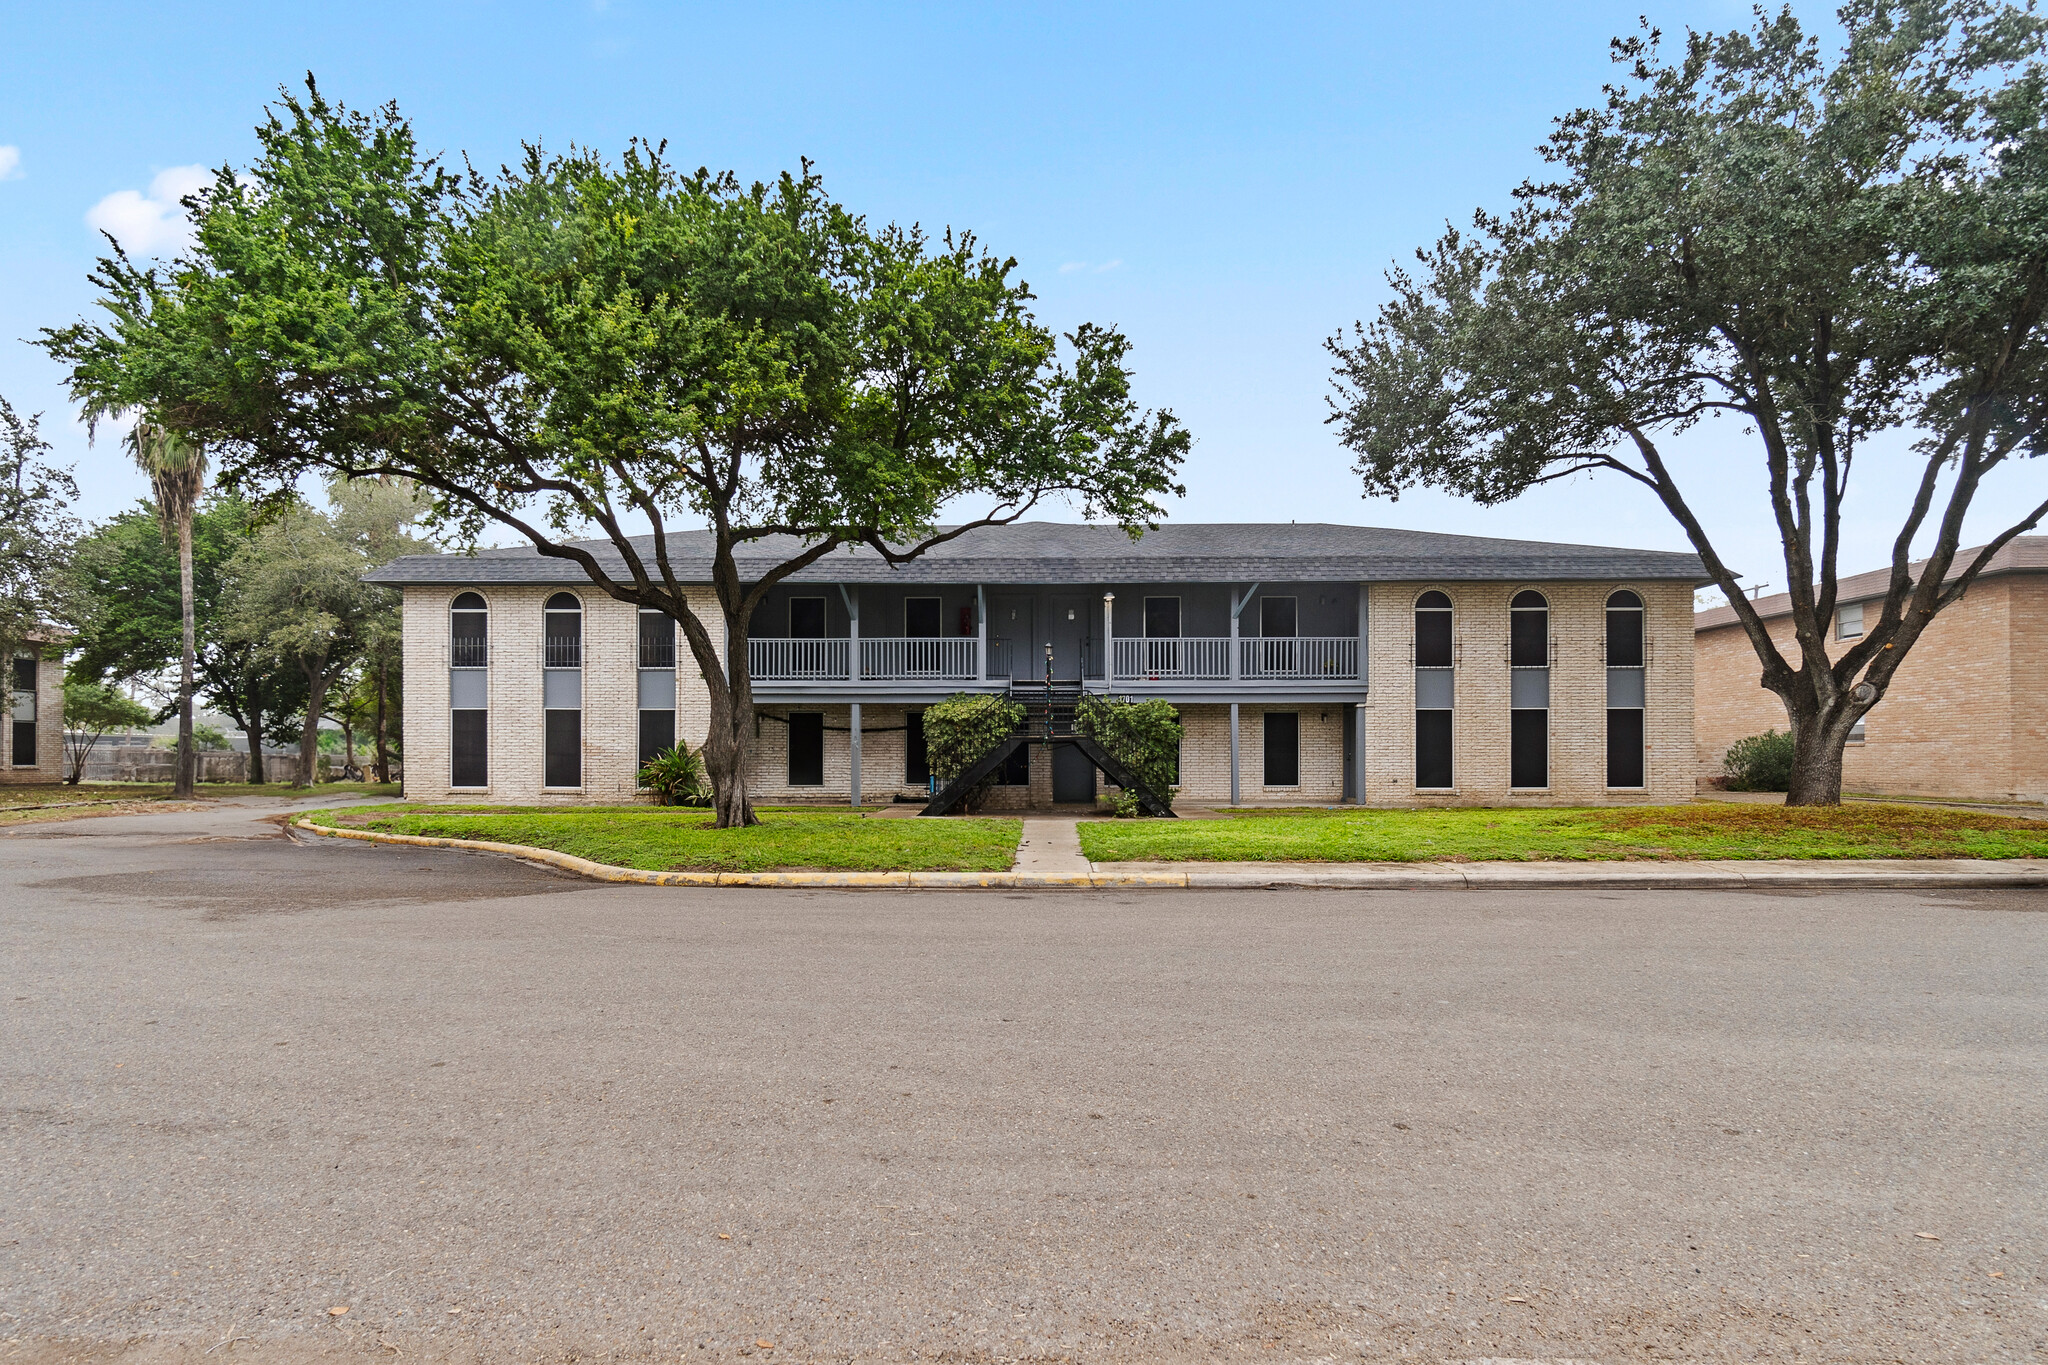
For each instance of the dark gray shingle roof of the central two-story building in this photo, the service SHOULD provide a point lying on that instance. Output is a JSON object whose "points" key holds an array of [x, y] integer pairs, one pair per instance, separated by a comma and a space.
{"points": [[1074, 554]]}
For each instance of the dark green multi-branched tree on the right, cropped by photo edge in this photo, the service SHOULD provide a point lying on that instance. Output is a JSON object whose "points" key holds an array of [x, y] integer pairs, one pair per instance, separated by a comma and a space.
{"points": [[1822, 251]]}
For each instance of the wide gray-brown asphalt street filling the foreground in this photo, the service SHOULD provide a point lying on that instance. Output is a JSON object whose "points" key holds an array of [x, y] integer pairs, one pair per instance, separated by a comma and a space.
{"points": [[300, 1100]]}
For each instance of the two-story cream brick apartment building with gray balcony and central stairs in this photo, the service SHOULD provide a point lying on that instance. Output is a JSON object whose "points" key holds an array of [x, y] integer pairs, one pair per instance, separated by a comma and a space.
{"points": [[1310, 664]]}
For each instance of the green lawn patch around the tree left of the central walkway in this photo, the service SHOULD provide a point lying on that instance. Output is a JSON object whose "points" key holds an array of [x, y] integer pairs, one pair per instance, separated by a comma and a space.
{"points": [[677, 840]]}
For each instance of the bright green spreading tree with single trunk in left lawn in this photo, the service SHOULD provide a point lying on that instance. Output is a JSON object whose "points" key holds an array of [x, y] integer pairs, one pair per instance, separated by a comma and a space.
{"points": [[585, 345]]}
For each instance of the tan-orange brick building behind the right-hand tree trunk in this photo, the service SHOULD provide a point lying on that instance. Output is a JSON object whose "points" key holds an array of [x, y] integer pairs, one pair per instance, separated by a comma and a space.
{"points": [[1967, 715]]}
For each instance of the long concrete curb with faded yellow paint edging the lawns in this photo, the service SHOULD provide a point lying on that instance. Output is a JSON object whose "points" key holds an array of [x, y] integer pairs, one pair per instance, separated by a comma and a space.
{"points": [[1779, 875]]}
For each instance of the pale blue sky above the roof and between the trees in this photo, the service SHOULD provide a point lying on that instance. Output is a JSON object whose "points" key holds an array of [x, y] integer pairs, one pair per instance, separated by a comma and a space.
{"points": [[1224, 183]]}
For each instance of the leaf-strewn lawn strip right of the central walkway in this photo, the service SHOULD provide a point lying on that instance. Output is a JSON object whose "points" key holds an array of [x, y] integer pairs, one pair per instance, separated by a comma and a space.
{"points": [[1703, 830]]}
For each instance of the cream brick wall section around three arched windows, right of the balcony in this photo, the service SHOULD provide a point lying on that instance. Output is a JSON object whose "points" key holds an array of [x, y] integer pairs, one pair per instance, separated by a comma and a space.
{"points": [[1578, 695]]}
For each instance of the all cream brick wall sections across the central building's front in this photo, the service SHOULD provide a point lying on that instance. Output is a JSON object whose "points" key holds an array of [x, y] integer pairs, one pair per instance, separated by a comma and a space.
{"points": [[1578, 709]]}
